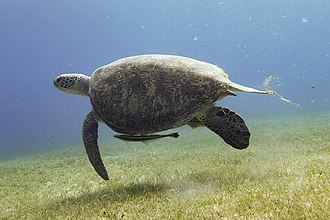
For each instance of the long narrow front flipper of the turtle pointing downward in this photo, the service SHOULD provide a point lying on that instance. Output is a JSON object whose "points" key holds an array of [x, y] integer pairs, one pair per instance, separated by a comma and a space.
{"points": [[89, 132]]}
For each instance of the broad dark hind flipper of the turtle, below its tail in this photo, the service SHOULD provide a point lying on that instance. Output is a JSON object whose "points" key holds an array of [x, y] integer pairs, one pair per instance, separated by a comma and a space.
{"points": [[228, 125]]}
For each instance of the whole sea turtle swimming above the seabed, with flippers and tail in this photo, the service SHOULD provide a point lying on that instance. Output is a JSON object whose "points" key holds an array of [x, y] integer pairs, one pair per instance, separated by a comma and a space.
{"points": [[141, 95]]}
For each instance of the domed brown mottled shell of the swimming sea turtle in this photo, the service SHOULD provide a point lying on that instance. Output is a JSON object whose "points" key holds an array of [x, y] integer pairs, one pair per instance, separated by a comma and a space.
{"points": [[151, 93]]}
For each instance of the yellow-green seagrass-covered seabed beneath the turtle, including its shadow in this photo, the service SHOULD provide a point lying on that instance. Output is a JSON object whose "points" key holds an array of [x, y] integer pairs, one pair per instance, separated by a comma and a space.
{"points": [[283, 174]]}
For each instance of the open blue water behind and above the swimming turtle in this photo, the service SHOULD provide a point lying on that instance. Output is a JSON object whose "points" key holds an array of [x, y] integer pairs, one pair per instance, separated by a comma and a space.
{"points": [[249, 39]]}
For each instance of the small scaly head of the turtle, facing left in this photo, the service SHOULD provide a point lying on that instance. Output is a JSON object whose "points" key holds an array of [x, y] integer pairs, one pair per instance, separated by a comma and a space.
{"points": [[73, 83]]}
